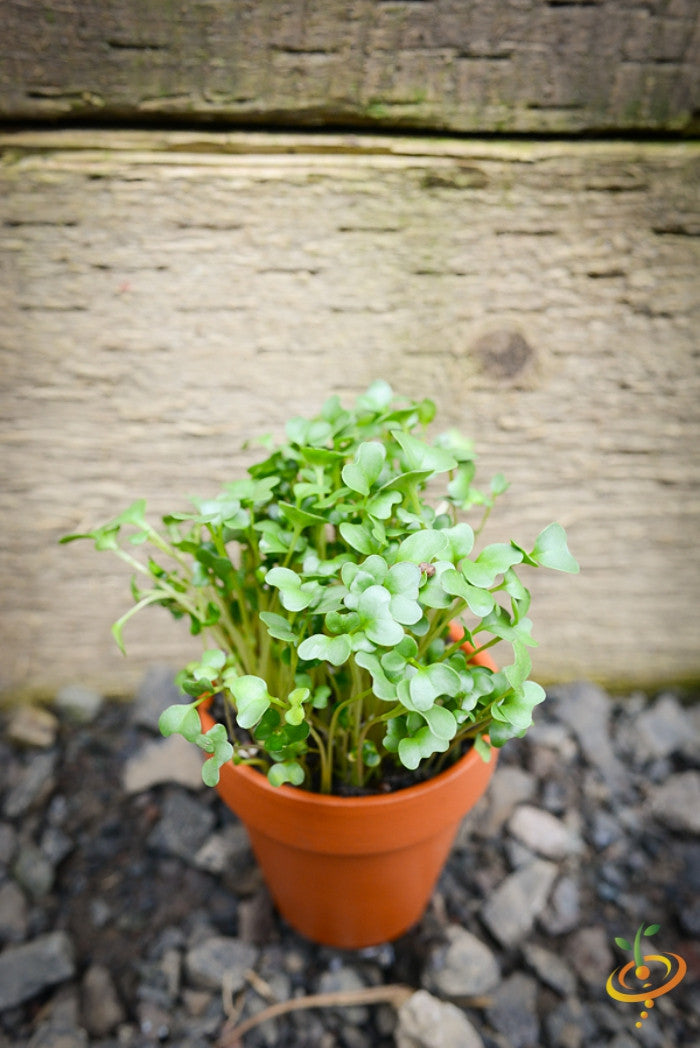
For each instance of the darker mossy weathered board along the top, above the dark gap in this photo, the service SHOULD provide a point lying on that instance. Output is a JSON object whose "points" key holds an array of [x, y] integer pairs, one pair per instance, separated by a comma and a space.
{"points": [[533, 67]]}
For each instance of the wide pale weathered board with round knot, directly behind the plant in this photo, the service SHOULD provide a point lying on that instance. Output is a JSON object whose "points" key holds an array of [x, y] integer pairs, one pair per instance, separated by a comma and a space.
{"points": [[165, 297]]}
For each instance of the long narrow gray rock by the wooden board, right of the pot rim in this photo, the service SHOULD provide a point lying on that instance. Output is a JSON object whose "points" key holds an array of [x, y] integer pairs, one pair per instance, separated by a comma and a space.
{"points": [[586, 709]]}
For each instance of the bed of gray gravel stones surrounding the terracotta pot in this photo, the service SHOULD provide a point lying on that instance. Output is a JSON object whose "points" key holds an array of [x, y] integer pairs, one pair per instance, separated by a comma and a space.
{"points": [[133, 913]]}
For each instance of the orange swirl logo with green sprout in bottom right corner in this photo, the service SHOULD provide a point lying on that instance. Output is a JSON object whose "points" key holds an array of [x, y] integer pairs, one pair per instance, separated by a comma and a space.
{"points": [[646, 977]]}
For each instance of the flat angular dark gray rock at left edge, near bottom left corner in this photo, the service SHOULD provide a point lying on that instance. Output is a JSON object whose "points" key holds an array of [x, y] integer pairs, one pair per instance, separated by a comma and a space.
{"points": [[34, 967]]}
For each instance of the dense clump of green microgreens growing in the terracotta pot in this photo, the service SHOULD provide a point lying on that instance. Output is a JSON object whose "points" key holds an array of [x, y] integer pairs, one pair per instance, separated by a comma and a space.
{"points": [[334, 598]]}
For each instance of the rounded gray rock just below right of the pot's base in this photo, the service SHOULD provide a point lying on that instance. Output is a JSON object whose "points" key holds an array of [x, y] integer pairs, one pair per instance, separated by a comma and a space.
{"points": [[463, 967]]}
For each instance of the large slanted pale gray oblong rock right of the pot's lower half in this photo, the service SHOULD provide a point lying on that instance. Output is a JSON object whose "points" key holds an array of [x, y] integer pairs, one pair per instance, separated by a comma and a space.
{"points": [[514, 907]]}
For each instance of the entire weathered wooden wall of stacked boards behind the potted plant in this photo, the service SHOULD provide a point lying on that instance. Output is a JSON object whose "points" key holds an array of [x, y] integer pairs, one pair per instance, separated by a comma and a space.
{"points": [[166, 294]]}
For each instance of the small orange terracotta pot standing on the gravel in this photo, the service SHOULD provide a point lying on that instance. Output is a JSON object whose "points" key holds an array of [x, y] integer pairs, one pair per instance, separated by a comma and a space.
{"points": [[354, 872]]}
